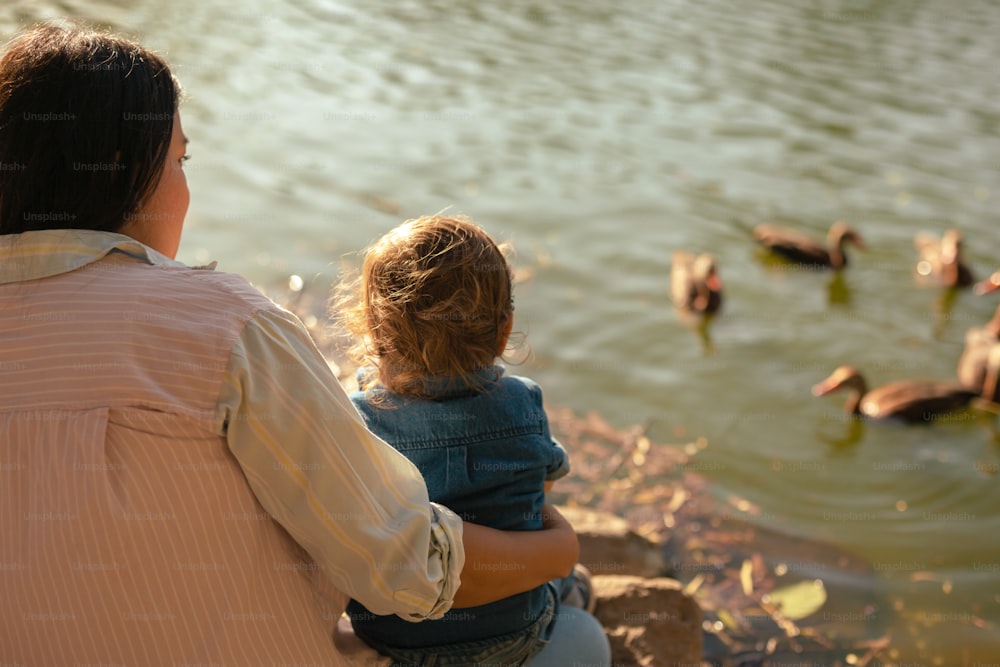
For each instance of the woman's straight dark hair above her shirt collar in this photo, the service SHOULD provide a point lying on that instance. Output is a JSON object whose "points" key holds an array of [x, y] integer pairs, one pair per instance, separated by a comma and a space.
{"points": [[85, 124]]}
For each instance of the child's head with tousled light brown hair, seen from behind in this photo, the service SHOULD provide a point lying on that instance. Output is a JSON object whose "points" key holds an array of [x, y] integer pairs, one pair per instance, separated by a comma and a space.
{"points": [[434, 299]]}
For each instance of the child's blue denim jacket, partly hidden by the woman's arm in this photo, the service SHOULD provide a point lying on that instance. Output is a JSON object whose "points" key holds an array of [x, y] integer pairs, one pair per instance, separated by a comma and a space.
{"points": [[485, 455]]}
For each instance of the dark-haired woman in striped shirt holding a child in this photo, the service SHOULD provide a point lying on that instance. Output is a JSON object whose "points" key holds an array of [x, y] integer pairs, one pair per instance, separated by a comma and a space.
{"points": [[183, 480]]}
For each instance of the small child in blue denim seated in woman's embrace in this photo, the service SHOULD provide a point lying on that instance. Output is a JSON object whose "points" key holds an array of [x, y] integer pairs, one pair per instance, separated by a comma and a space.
{"points": [[432, 311]]}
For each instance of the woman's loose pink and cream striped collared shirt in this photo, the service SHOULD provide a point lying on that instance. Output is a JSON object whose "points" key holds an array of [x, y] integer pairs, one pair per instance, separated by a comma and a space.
{"points": [[182, 478]]}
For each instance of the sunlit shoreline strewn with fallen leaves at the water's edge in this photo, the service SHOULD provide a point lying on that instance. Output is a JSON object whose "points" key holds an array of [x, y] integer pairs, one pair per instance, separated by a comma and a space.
{"points": [[721, 549]]}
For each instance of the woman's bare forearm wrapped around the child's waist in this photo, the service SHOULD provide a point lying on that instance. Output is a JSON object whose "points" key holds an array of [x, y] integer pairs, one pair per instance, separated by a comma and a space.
{"points": [[500, 563]]}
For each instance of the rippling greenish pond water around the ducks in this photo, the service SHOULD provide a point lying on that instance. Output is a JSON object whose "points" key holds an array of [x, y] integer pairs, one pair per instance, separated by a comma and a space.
{"points": [[599, 139]]}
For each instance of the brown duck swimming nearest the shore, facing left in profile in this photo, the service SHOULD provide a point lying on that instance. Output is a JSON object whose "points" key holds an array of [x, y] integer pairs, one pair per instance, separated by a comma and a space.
{"points": [[911, 401]]}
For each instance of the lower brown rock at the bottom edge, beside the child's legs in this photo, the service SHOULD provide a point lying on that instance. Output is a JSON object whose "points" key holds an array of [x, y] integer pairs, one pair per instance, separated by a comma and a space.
{"points": [[649, 621]]}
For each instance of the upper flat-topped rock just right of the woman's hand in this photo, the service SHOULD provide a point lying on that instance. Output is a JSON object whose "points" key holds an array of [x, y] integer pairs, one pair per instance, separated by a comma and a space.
{"points": [[609, 546]]}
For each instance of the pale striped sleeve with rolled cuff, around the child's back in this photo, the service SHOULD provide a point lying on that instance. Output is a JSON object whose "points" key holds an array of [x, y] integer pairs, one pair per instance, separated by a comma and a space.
{"points": [[354, 503]]}
